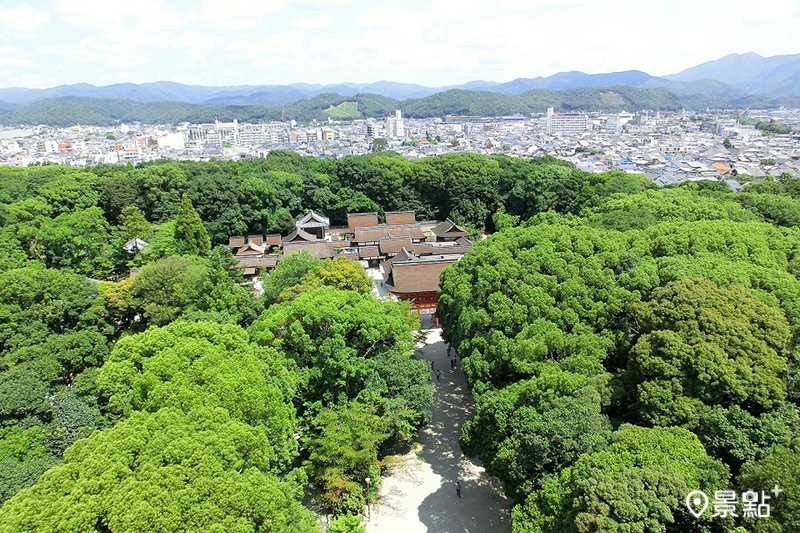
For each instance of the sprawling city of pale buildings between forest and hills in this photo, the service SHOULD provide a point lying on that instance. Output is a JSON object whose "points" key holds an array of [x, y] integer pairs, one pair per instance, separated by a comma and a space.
{"points": [[666, 147]]}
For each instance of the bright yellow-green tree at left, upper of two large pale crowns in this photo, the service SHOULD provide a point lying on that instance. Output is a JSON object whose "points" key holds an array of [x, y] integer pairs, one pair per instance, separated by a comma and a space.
{"points": [[199, 365]]}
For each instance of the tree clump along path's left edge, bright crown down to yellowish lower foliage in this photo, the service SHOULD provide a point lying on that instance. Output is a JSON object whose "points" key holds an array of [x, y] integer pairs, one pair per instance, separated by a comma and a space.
{"points": [[360, 388]]}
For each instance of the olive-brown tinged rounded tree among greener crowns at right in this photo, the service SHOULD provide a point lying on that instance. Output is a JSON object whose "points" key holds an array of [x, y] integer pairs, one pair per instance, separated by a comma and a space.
{"points": [[703, 345]]}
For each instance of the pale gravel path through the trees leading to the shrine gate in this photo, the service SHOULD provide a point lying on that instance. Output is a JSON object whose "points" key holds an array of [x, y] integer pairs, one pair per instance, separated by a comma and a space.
{"points": [[419, 494]]}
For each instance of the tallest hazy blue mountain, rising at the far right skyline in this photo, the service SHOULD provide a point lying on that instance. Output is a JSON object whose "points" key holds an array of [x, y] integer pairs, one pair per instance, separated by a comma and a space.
{"points": [[751, 73]]}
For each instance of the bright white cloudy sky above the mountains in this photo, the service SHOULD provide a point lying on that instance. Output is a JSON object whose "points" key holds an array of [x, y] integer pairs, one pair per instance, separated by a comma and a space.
{"points": [[45, 43]]}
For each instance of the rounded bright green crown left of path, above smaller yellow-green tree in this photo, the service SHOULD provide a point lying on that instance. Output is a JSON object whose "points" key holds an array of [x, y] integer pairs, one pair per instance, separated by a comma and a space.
{"points": [[350, 346]]}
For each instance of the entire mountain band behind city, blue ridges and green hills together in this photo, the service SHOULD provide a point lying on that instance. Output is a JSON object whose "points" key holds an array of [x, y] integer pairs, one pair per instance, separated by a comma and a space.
{"points": [[734, 81]]}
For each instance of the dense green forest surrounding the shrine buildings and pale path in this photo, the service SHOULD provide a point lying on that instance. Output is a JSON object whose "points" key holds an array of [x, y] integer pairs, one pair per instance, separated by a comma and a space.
{"points": [[625, 344]]}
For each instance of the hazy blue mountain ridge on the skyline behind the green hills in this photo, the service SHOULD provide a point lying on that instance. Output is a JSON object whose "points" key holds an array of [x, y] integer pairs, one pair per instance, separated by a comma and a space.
{"points": [[733, 76]]}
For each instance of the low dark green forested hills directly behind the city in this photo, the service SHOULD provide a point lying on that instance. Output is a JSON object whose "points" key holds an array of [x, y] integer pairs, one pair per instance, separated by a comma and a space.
{"points": [[71, 110]]}
